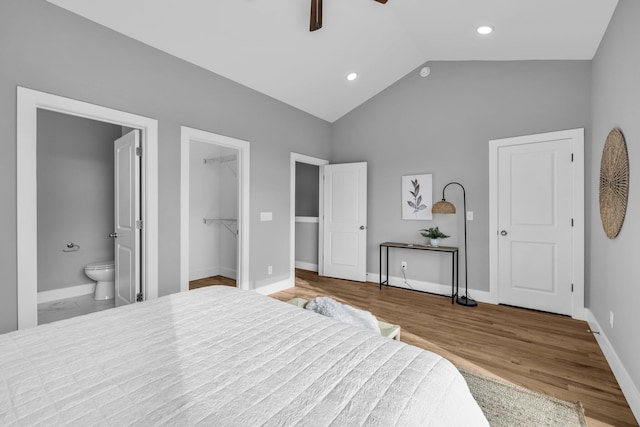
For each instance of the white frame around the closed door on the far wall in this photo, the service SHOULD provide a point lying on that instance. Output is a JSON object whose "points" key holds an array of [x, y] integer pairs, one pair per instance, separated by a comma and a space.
{"points": [[577, 241]]}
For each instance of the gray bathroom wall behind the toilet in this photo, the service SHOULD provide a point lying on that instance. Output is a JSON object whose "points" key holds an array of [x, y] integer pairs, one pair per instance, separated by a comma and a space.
{"points": [[72, 209]]}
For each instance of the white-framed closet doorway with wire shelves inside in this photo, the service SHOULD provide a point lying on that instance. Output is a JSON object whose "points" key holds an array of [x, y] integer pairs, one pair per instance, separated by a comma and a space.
{"points": [[214, 210]]}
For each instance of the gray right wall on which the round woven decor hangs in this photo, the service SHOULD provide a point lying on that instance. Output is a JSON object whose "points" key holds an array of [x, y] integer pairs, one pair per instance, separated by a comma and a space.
{"points": [[613, 268]]}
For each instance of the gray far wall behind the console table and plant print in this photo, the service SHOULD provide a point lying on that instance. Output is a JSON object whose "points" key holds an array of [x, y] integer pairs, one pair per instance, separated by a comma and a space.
{"points": [[442, 125]]}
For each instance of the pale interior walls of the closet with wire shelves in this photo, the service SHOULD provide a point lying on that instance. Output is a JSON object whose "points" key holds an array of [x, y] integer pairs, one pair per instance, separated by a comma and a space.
{"points": [[213, 194]]}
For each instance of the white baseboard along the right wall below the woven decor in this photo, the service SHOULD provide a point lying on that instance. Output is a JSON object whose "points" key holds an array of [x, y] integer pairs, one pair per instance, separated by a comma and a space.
{"points": [[629, 389]]}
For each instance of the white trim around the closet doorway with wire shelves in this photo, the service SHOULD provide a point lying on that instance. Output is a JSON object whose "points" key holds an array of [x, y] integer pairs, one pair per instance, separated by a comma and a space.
{"points": [[187, 135]]}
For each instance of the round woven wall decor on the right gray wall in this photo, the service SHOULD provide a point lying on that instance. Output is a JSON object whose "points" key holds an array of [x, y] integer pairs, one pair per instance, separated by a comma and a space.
{"points": [[614, 183]]}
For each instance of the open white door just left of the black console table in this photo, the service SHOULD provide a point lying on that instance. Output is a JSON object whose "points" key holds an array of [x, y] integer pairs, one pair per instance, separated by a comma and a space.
{"points": [[345, 221]]}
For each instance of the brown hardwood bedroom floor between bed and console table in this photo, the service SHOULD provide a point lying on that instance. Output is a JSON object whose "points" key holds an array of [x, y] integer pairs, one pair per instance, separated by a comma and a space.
{"points": [[548, 353]]}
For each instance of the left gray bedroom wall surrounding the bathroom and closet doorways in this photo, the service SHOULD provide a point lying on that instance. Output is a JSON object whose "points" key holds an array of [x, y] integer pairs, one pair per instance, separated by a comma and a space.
{"points": [[49, 49]]}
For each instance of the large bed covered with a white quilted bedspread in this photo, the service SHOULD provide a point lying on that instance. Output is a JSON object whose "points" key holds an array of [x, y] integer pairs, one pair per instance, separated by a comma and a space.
{"points": [[225, 357]]}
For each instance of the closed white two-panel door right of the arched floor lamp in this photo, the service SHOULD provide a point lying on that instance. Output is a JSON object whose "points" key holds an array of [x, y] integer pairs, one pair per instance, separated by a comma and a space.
{"points": [[535, 225]]}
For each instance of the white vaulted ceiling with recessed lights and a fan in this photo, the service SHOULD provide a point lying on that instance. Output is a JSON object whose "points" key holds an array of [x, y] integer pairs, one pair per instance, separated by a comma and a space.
{"points": [[267, 46]]}
